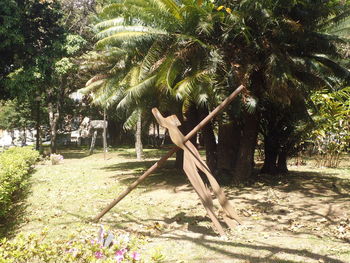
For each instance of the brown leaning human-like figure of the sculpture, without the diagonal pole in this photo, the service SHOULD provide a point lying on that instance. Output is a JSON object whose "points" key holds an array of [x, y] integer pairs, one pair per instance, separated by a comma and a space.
{"points": [[193, 162]]}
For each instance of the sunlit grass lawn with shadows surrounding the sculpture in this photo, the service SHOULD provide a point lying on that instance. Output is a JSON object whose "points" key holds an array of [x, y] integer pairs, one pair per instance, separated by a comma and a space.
{"points": [[302, 218]]}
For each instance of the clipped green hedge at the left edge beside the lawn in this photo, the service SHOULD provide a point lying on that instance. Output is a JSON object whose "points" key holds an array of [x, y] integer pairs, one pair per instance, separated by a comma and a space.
{"points": [[15, 166]]}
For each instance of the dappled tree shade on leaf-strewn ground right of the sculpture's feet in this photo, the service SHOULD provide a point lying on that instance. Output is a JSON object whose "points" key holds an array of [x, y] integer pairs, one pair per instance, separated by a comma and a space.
{"points": [[300, 203]]}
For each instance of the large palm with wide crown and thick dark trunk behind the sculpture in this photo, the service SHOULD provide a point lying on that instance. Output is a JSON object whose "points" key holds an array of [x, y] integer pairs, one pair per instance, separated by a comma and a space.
{"points": [[198, 51]]}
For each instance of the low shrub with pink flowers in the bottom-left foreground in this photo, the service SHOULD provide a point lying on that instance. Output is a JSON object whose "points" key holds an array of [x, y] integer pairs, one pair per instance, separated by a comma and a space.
{"points": [[124, 248]]}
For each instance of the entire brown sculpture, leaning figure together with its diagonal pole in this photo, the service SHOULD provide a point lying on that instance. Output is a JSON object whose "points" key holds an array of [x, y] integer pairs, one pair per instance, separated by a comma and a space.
{"points": [[190, 167]]}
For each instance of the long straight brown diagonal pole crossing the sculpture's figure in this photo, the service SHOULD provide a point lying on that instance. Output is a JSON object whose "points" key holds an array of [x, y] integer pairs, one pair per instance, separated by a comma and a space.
{"points": [[150, 170]]}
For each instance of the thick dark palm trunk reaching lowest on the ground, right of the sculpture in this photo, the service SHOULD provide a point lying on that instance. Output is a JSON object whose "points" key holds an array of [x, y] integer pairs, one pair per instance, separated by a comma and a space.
{"points": [[244, 165]]}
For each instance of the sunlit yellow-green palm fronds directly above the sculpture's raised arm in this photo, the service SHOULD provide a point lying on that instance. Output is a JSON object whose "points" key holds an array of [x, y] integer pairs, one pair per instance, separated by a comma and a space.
{"points": [[167, 64]]}
